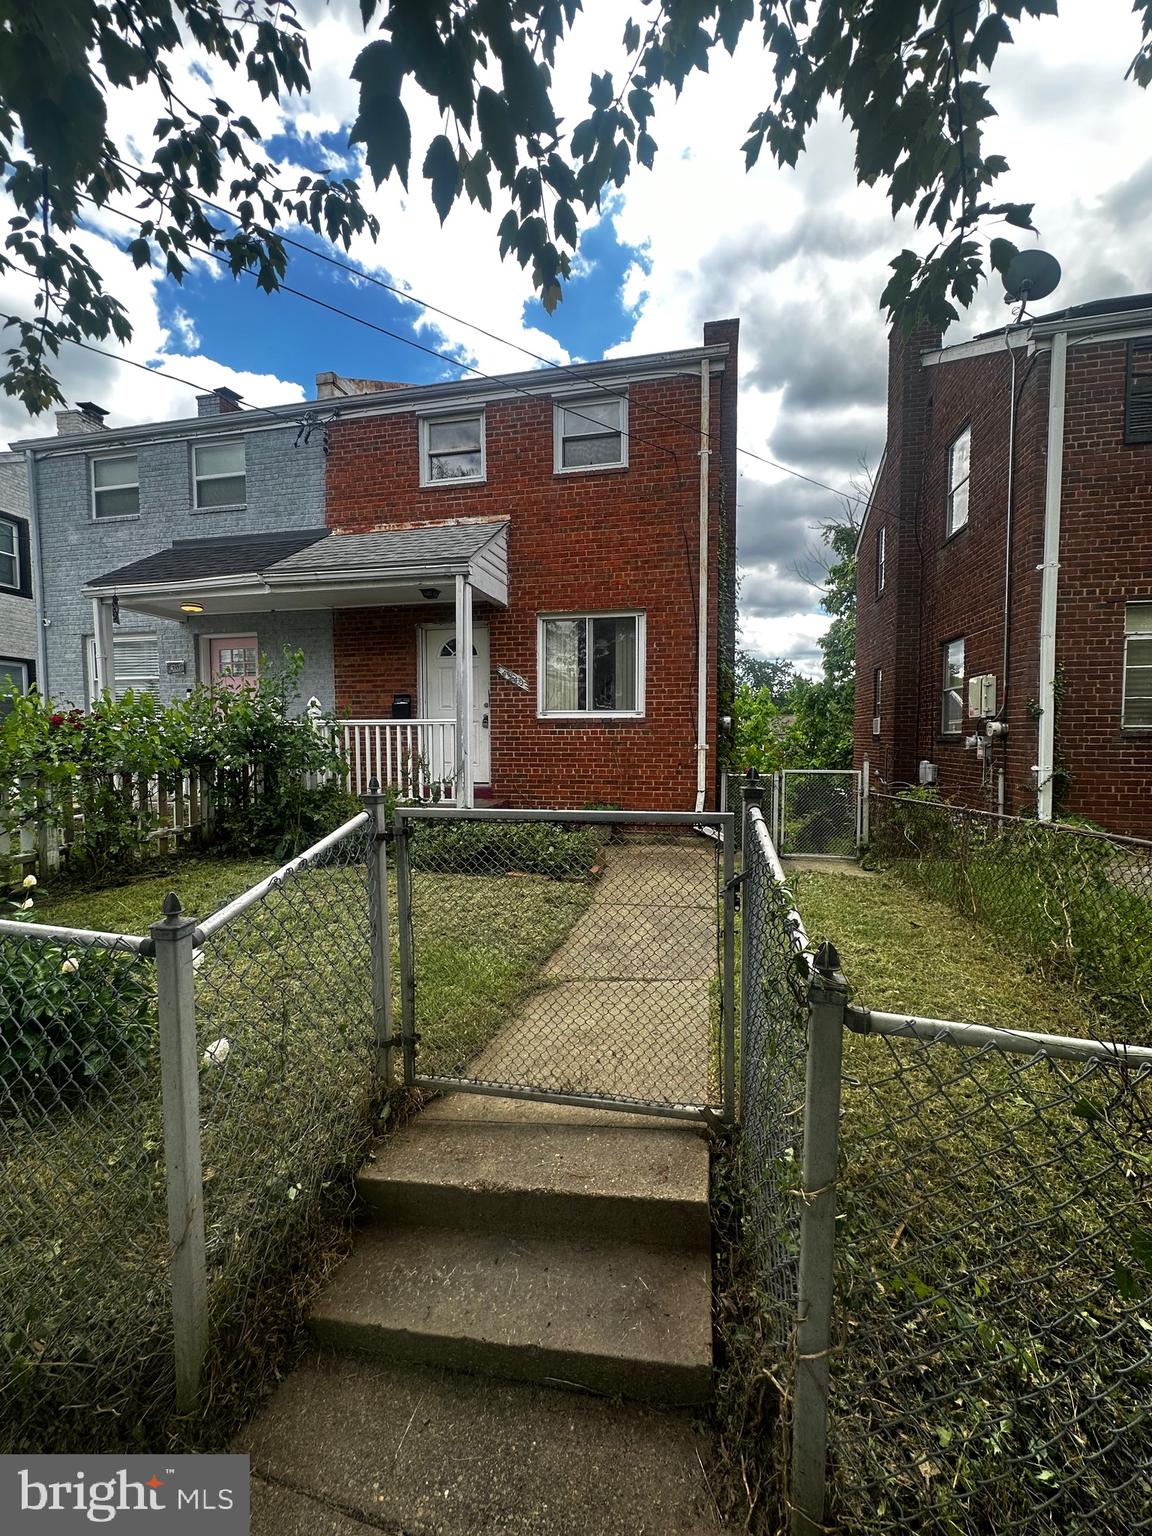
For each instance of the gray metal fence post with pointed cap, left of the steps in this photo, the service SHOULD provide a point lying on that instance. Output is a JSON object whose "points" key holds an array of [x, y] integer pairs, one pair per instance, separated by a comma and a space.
{"points": [[174, 941]]}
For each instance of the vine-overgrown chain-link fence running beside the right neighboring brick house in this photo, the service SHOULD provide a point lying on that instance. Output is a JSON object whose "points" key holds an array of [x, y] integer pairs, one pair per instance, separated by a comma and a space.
{"points": [[1078, 902]]}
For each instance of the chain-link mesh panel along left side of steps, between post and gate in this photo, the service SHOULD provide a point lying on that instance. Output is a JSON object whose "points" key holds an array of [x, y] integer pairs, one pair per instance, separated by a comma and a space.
{"points": [[288, 1079]]}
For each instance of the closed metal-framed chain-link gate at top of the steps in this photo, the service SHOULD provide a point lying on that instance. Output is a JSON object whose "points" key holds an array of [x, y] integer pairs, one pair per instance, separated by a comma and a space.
{"points": [[575, 958]]}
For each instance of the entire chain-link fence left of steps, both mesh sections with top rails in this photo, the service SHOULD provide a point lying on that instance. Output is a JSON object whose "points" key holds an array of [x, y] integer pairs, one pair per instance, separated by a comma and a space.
{"points": [[282, 1090]]}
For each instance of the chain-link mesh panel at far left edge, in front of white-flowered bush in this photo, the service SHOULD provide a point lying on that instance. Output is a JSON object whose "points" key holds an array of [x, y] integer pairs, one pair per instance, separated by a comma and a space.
{"points": [[85, 1313]]}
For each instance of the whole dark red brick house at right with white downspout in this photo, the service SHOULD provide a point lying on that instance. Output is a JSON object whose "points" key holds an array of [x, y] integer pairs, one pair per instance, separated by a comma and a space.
{"points": [[1005, 569]]}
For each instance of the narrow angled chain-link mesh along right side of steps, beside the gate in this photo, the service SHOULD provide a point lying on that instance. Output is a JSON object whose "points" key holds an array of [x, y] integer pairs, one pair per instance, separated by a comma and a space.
{"points": [[773, 1041]]}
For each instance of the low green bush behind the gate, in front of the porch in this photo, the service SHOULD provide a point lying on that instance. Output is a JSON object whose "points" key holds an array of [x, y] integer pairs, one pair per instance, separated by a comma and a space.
{"points": [[497, 849]]}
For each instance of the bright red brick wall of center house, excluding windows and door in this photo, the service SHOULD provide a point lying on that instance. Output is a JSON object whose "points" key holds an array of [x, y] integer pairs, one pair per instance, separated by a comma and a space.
{"points": [[614, 540]]}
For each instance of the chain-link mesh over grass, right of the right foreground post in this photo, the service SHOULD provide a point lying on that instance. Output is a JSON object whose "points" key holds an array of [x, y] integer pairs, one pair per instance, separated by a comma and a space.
{"points": [[993, 1369]]}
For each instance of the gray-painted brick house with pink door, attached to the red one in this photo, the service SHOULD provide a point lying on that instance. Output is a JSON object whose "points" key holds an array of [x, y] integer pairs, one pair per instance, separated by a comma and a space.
{"points": [[107, 498]]}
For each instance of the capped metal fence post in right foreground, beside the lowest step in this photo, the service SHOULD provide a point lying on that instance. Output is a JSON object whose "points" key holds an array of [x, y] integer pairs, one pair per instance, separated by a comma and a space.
{"points": [[827, 1002]]}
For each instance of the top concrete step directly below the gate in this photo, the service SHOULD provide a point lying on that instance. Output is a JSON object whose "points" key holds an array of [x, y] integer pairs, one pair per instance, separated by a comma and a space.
{"points": [[534, 1177]]}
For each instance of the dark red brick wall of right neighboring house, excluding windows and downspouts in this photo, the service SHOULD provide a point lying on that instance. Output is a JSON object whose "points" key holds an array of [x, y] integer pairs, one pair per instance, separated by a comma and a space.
{"points": [[939, 589]]}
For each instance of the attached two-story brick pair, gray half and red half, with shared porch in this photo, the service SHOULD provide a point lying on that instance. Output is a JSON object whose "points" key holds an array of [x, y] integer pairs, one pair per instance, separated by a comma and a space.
{"points": [[571, 531]]}
